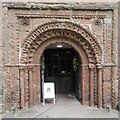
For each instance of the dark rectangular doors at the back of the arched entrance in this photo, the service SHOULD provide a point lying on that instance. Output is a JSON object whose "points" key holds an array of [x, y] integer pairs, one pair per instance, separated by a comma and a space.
{"points": [[59, 69]]}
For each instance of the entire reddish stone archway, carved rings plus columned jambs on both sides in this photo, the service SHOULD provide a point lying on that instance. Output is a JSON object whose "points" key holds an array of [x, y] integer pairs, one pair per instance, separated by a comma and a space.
{"points": [[82, 41]]}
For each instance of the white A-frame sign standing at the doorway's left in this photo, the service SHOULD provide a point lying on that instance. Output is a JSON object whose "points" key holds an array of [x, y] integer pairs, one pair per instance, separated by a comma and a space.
{"points": [[48, 91]]}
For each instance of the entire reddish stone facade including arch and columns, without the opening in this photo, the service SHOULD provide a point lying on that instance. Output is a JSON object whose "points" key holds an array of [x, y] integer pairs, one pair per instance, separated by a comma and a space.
{"points": [[89, 28]]}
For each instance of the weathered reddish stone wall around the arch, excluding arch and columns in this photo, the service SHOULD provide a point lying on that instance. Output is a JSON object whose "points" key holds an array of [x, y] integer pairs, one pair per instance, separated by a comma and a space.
{"points": [[18, 26]]}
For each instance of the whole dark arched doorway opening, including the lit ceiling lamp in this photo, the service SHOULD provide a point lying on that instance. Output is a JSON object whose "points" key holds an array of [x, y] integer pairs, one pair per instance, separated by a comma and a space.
{"points": [[62, 66]]}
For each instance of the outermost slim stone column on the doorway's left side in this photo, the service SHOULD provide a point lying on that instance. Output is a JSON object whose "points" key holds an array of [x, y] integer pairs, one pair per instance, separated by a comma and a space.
{"points": [[22, 75]]}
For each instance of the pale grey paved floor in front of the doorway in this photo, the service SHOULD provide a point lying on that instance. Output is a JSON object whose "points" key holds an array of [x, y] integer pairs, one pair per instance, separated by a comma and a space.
{"points": [[66, 107]]}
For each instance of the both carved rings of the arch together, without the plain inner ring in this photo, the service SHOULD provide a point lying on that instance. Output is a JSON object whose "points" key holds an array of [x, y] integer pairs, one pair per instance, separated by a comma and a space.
{"points": [[71, 31]]}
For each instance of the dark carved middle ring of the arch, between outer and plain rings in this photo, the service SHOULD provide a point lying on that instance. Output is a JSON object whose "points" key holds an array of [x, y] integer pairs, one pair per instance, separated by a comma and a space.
{"points": [[63, 34]]}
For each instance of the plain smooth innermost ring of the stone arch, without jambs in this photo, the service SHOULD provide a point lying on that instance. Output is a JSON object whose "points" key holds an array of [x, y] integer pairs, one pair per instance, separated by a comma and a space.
{"points": [[38, 53]]}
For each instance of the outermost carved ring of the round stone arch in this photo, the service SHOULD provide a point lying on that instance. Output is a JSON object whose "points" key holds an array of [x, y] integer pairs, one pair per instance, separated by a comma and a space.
{"points": [[40, 31]]}
